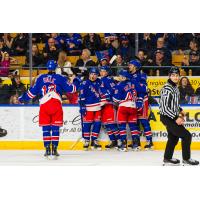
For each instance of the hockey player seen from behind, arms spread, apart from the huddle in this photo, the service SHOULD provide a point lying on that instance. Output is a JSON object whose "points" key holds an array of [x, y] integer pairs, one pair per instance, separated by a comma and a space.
{"points": [[50, 87]]}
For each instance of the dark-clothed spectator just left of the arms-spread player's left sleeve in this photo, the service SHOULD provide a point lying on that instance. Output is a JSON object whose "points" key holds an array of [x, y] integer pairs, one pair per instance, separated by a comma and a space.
{"points": [[17, 87]]}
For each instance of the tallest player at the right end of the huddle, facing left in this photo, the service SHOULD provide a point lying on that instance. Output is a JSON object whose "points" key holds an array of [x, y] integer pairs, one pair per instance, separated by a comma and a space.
{"points": [[138, 76]]}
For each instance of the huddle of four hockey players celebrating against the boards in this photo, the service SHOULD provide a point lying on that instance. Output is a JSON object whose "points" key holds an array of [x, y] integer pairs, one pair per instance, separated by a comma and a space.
{"points": [[102, 97]]}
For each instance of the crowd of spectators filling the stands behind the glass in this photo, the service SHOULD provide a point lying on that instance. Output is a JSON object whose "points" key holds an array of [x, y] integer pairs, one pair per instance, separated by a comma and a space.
{"points": [[76, 52]]}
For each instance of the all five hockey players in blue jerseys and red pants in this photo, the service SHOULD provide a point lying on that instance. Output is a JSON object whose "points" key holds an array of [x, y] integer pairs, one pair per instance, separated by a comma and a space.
{"points": [[100, 98]]}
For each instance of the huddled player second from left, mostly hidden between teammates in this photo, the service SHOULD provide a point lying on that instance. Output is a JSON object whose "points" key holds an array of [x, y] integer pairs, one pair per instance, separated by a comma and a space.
{"points": [[108, 111]]}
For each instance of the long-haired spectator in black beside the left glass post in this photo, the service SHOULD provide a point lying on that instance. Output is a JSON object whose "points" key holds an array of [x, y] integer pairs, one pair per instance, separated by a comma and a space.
{"points": [[38, 58]]}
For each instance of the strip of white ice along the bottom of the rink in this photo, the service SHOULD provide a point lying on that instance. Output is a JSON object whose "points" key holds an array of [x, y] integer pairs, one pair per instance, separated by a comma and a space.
{"points": [[87, 158]]}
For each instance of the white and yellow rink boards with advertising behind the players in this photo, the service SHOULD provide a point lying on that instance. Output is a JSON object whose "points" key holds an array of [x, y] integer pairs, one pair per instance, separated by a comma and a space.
{"points": [[21, 123]]}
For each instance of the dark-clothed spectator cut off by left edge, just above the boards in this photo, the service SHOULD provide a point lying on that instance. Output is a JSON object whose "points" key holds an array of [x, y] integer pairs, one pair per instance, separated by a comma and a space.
{"points": [[4, 93]]}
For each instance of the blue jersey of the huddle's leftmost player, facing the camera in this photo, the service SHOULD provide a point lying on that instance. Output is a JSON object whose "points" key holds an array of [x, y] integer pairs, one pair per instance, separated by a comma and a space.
{"points": [[92, 94]]}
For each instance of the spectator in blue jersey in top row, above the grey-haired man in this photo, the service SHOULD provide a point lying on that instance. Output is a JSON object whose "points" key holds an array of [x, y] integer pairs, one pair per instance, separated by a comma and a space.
{"points": [[73, 44]]}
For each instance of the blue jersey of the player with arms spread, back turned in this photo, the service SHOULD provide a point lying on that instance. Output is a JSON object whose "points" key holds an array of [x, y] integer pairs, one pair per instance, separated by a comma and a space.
{"points": [[49, 86]]}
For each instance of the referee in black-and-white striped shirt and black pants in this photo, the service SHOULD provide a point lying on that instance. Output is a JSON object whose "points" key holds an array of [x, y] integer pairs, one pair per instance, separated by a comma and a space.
{"points": [[172, 116]]}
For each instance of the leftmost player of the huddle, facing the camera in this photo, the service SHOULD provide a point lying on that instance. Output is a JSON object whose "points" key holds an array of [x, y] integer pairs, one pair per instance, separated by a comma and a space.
{"points": [[90, 107]]}
